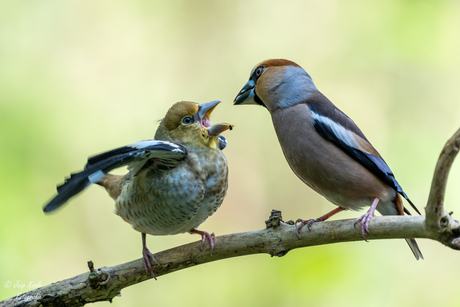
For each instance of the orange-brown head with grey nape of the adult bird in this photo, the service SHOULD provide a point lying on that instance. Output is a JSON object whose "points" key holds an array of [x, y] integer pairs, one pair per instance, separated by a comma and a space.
{"points": [[276, 83]]}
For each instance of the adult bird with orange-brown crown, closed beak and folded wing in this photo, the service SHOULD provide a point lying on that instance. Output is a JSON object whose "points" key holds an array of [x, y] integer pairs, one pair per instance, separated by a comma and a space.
{"points": [[323, 146]]}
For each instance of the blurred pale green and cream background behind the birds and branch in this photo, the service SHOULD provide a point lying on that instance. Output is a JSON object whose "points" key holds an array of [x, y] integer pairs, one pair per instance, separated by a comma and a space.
{"points": [[81, 77]]}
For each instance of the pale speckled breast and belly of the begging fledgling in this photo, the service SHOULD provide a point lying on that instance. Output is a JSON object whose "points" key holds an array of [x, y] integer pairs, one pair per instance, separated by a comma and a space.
{"points": [[177, 200]]}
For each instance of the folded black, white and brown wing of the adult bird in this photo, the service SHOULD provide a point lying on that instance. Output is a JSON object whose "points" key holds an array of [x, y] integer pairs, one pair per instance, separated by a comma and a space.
{"points": [[336, 127]]}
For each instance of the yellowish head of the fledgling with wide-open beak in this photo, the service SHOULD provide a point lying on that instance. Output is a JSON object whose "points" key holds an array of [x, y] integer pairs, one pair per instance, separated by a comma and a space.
{"points": [[188, 122]]}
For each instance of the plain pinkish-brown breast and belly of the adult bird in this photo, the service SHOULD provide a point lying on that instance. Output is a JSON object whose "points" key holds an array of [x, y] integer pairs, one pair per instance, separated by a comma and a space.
{"points": [[323, 166]]}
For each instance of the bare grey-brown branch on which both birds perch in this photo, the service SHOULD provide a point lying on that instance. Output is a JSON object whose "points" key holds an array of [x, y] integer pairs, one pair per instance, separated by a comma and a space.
{"points": [[277, 239]]}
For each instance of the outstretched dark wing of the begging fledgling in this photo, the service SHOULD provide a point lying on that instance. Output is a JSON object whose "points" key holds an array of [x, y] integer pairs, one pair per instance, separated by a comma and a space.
{"points": [[166, 154]]}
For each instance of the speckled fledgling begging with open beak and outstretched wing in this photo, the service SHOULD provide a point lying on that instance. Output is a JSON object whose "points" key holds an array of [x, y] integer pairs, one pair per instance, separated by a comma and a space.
{"points": [[174, 181]]}
